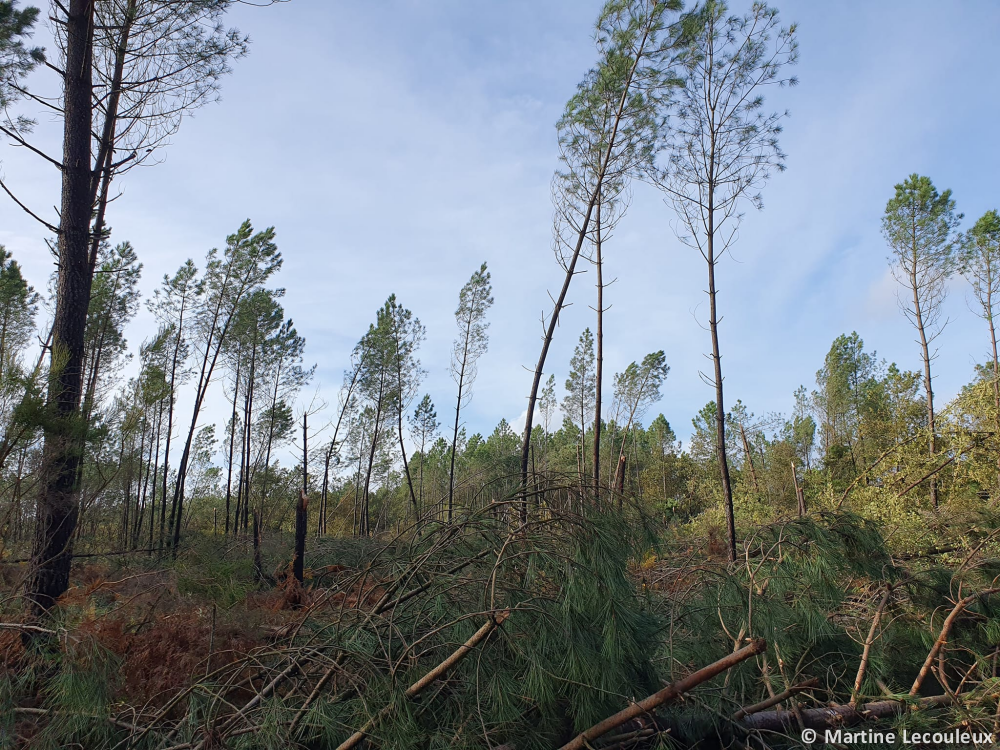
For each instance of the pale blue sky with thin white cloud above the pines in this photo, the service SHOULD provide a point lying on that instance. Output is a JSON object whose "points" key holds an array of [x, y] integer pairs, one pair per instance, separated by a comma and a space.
{"points": [[395, 146]]}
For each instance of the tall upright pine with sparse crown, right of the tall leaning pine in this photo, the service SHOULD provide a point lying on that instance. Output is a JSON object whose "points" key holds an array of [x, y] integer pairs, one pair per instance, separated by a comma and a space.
{"points": [[722, 148]]}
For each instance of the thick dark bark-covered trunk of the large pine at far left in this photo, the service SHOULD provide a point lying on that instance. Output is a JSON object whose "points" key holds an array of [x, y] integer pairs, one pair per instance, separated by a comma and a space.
{"points": [[58, 502]]}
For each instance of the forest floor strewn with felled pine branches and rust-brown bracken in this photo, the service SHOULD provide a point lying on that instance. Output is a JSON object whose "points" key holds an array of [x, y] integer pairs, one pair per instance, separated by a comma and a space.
{"points": [[567, 621]]}
